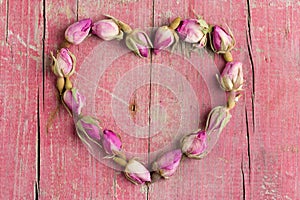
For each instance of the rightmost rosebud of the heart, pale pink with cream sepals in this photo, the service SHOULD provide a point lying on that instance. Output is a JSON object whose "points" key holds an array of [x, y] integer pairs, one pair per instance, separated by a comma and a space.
{"points": [[231, 78]]}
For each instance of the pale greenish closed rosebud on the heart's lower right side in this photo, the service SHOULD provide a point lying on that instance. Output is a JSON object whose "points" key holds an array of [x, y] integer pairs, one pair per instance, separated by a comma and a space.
{"points": [[217, 119]]}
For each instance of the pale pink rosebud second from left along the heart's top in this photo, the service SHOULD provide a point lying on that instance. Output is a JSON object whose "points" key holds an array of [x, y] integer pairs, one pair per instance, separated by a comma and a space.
{"points": [[107, 29]]}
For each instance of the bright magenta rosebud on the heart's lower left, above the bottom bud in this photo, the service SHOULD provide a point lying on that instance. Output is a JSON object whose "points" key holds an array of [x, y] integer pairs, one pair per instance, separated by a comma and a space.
{"points": [[111, 142]]}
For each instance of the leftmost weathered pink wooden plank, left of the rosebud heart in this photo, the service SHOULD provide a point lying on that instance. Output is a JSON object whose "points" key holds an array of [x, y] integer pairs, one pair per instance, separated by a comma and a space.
{"points": [[20, 69]]}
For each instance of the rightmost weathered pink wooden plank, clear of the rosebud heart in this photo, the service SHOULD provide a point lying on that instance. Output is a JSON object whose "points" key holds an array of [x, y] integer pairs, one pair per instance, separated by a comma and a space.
{"points": [[275, 140]]}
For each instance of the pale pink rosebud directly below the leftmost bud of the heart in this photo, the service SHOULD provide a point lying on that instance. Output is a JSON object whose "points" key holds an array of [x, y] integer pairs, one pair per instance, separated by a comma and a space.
{"points": [[74, 101]]}
